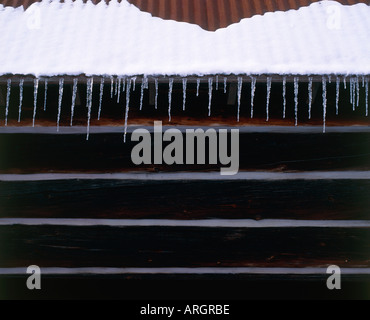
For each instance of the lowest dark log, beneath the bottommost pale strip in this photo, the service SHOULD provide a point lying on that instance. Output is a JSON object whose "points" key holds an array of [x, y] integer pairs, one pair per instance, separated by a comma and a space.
{"points": [[193, 289]]}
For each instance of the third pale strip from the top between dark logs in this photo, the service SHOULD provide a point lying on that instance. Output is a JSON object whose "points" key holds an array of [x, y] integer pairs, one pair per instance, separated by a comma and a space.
{"points": [[208, 223]]}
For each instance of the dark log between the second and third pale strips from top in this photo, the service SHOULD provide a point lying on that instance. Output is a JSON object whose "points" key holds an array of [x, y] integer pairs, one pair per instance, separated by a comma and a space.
{"points": [[167, 199]]}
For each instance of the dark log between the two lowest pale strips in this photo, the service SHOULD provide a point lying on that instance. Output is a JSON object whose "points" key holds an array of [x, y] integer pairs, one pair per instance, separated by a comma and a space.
{"points": [[58, 246]]}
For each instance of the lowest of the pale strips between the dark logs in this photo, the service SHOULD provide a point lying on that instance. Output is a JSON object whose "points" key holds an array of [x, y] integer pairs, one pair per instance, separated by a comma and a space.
{"points": [[205, 271]]}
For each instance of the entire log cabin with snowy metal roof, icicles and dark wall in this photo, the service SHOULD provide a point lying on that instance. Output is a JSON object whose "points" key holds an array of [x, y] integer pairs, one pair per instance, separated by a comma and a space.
{"points": [[78, 78]]}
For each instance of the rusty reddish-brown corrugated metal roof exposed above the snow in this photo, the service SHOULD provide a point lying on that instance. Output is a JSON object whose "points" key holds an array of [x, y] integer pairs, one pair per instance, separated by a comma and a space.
{"points": [[209, 14]]}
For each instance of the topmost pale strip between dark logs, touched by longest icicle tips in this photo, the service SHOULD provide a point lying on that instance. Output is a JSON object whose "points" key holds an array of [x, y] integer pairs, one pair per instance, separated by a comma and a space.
{"points": [[182, 128]]}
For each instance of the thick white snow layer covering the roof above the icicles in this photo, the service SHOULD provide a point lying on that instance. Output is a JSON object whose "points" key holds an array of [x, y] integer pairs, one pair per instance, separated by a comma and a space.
{"points": [[73, 38]]}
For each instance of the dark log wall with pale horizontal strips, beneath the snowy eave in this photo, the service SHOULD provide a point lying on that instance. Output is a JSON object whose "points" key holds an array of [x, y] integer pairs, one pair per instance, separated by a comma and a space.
{"points": [[298, 205]]}
